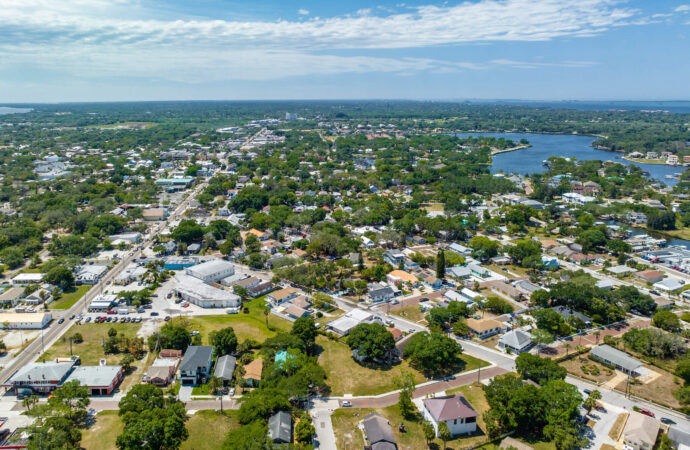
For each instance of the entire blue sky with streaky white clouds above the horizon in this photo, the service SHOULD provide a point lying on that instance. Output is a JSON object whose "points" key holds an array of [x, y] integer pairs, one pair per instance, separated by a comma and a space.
{"points": [[131, 50]]}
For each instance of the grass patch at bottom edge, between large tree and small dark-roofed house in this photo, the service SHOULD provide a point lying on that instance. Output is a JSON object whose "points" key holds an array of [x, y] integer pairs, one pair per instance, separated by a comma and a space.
{"points": [[207, 429]]}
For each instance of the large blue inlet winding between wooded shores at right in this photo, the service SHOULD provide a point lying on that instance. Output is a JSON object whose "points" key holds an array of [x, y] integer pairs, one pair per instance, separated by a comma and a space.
{"points": [[529, 160]]}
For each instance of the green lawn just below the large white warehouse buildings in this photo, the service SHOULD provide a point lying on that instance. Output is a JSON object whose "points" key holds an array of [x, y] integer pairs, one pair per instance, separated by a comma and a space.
{"points": [[246, 326]]}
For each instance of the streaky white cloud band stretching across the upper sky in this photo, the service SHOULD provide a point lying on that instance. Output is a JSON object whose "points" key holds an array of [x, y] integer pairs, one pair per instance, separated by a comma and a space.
{"points": [[100, 38]]}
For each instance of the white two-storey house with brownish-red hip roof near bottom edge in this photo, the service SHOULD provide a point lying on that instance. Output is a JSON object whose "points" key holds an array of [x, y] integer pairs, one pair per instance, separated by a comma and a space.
{"points": [[454, 410]]}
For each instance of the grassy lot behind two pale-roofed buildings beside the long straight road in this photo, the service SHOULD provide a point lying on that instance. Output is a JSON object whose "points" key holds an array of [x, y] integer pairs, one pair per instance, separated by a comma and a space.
{"points": [[91, 350]]}
